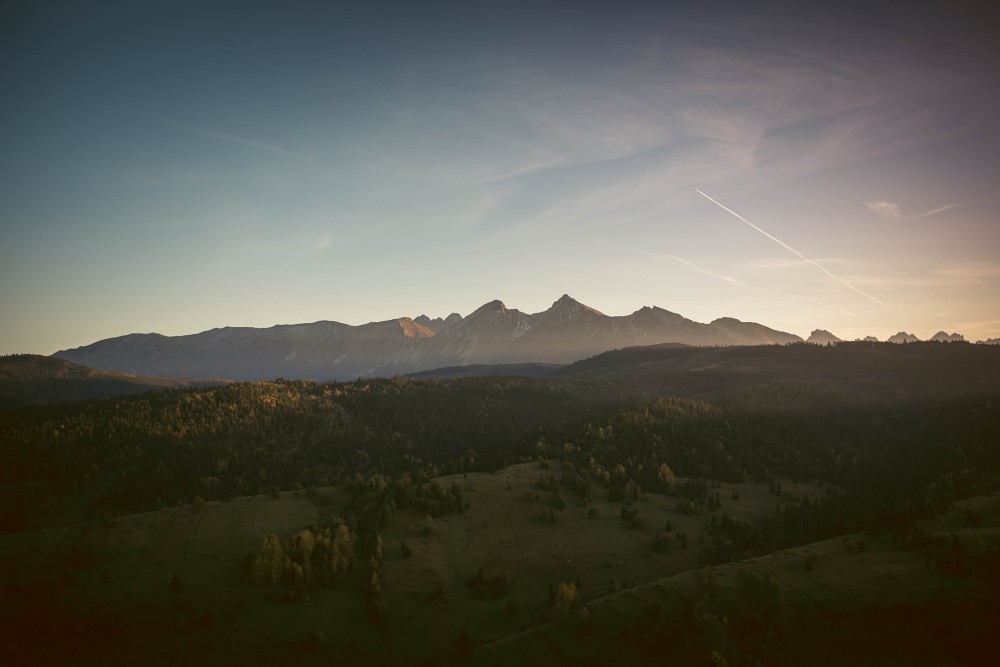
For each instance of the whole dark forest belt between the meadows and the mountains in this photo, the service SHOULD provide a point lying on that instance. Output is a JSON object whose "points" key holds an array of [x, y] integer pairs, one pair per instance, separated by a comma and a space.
{"points": [[802, 411]]}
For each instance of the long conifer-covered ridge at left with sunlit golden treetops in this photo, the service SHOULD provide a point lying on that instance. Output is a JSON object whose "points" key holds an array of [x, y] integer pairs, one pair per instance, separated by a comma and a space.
{"points": [[133, 453]]}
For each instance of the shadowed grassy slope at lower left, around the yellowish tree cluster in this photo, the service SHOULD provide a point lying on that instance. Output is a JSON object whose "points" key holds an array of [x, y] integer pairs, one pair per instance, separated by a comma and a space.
{"points": [[106, 588]]}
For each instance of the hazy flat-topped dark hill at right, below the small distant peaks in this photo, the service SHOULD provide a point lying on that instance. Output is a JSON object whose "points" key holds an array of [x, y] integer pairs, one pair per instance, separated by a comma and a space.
{"points": [[799, 375]]}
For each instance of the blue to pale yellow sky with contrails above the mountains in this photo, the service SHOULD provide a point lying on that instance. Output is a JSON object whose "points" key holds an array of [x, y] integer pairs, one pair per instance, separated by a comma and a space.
{"points": [[174, 167]]}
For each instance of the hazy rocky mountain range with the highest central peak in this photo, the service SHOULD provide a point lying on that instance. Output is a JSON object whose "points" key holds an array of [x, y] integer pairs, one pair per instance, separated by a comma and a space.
{"points": [[493, 334]]}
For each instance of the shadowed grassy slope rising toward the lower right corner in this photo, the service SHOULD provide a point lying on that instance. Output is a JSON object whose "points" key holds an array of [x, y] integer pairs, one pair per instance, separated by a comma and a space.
{"points": [[858, 607]]}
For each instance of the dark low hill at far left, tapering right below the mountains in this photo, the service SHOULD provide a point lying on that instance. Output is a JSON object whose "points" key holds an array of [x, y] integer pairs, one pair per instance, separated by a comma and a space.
{"points": [[31, 379]]}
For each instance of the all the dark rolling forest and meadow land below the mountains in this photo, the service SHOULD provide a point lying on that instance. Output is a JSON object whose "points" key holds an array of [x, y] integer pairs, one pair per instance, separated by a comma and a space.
{"points": [[650, 504]]}
